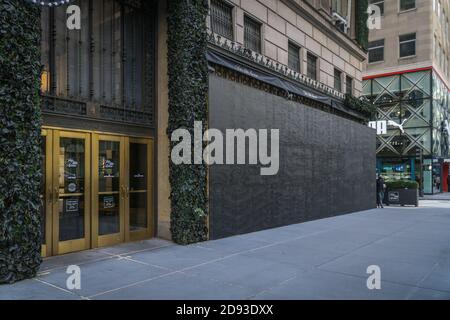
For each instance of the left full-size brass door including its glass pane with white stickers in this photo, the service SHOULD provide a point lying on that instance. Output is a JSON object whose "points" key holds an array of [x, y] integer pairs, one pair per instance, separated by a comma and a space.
{"points": [[70, 192]]}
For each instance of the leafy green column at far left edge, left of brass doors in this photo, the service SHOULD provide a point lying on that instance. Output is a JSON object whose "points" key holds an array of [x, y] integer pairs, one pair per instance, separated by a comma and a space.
{"points": [[20, 169]]}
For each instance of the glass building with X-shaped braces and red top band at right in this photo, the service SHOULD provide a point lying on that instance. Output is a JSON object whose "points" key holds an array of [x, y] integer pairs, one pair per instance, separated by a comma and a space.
{"points": [[415, 106]]}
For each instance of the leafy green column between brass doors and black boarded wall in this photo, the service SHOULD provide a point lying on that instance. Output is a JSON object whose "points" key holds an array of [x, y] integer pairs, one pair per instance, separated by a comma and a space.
{"points": [[188, 91]]}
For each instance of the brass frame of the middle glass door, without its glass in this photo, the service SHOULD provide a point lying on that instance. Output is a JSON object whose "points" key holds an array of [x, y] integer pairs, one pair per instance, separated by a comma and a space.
{"points": [[112, 239]]}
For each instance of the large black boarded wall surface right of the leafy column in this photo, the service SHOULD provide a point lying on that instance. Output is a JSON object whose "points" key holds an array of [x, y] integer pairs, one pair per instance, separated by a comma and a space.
{"points": [[327, 163]]}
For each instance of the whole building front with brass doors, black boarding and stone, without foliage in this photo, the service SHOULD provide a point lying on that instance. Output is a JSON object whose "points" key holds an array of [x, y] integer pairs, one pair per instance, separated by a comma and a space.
{"points": [[106, 96]]}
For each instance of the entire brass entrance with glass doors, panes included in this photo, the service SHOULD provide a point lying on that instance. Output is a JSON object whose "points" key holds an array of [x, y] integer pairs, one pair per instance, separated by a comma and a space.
{"points": [[96, 190]]}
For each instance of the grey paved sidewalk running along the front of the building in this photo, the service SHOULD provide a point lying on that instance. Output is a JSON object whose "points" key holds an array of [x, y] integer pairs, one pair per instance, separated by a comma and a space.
{"points": [[322, 259]]}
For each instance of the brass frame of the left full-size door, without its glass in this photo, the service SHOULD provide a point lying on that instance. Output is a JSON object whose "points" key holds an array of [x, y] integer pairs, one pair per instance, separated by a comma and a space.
{"points": [[62, 247]]}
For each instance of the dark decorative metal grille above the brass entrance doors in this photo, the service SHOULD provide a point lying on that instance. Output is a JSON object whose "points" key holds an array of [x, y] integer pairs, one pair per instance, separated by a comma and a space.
{"points": [[108, 64]]}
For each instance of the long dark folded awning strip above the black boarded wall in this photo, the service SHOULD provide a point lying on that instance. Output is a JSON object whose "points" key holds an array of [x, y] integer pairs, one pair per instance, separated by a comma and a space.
{"points": [[289, 86]]}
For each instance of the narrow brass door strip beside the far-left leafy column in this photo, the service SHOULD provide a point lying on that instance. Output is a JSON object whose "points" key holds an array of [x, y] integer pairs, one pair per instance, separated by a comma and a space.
{"points": [[47, 202]]}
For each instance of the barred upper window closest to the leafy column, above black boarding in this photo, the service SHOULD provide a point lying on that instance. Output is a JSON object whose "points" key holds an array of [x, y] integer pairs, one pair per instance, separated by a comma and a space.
{"points": [[222, 18]]}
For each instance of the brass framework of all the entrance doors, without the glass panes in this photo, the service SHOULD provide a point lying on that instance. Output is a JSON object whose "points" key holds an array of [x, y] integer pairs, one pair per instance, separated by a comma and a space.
{"points": [[92, 239]]}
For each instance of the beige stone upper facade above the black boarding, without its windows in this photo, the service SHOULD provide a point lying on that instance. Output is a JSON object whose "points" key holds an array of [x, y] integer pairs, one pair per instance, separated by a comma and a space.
{"points": [[310, 28]]}
